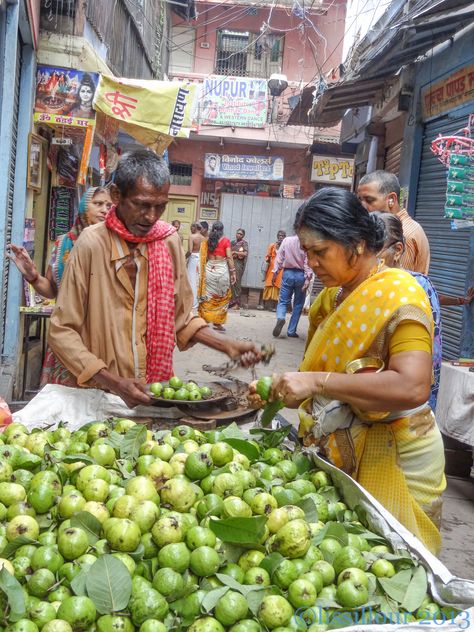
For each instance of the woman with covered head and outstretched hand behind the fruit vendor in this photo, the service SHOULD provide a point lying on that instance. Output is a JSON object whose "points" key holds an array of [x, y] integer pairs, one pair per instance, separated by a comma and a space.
{"points": [[93, 208]]}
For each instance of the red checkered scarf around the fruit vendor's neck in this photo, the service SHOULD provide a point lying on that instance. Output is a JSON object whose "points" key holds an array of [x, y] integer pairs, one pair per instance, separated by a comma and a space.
{"points": [[160, 296]]}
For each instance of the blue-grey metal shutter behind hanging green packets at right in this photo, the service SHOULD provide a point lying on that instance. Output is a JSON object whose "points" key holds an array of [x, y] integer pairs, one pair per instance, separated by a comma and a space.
{"points": [[449, 248]]}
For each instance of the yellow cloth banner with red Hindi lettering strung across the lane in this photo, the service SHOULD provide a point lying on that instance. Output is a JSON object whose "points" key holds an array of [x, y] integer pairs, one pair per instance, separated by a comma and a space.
{"points": [[153, 112]]}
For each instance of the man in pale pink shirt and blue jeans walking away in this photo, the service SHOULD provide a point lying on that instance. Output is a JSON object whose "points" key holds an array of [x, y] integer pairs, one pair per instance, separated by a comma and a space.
{"points": [[296, 277]]}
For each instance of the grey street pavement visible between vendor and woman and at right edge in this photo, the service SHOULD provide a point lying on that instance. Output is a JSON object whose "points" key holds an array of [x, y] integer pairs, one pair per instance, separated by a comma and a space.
{"points": [[458, 510]]}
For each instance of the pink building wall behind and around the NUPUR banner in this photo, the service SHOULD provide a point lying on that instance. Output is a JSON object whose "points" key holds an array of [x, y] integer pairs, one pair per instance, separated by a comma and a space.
{"points": [[312, 46]]}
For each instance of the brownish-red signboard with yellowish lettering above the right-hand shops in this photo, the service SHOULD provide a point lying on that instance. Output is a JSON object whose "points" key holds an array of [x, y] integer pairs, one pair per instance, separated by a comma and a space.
{"points": [[451, 92]]}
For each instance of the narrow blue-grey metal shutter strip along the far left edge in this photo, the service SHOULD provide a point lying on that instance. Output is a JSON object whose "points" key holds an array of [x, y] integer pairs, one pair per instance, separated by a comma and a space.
{"points": [[11, 187]]}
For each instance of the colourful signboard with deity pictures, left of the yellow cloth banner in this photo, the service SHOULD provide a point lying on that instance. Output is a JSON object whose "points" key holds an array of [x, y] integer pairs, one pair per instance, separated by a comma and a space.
{"points": [[64, 96]]}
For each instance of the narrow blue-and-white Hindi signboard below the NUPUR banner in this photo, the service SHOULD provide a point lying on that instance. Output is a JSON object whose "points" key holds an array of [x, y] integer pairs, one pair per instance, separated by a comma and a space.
{"points": [[235, 167]]}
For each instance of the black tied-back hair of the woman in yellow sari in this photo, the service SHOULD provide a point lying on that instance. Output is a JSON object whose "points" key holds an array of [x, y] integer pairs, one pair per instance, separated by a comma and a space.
{"points": [[338, 215]]}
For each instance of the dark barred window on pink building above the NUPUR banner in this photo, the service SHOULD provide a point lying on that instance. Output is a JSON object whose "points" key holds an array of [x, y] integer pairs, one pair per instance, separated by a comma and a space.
{"points": [[245, 54]]}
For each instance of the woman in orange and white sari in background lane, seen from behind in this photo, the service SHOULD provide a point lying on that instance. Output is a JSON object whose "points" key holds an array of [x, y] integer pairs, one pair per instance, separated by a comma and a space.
{"points": [[217, 274]]}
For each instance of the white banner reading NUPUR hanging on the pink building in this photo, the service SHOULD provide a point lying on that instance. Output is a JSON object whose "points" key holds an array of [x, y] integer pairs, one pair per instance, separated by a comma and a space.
{"points": [[233, 102]]}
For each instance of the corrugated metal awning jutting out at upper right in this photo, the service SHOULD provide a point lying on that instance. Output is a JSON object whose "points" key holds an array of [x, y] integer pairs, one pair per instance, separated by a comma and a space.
{"points": [[380, 56]]}
